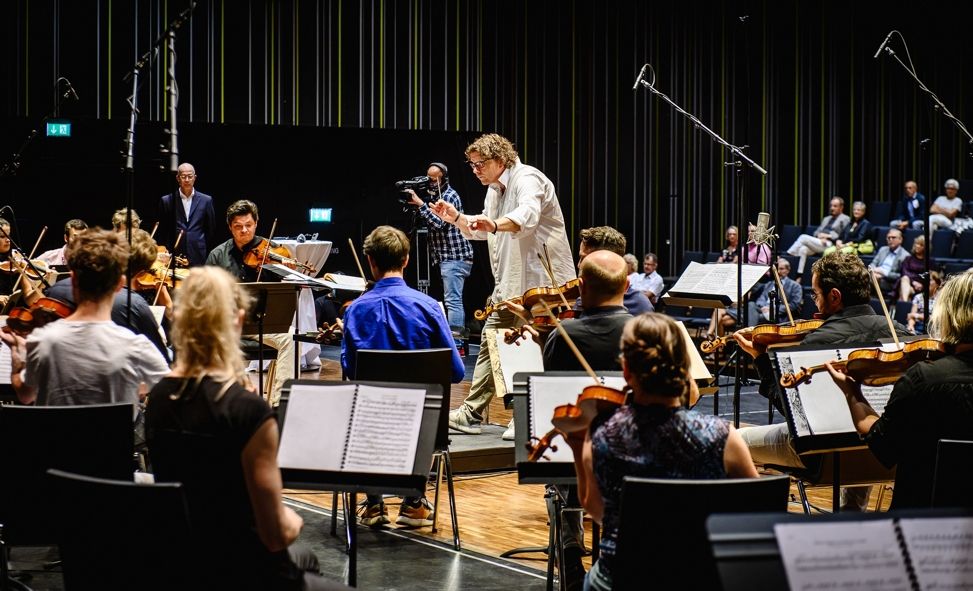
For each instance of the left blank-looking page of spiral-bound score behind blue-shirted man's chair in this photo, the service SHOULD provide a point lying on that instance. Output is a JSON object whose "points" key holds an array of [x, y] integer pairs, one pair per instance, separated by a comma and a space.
{"points": [[316, 427]]}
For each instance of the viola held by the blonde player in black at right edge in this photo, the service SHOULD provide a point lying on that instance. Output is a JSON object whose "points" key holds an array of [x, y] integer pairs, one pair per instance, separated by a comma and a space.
{"points": [[874, 367]]}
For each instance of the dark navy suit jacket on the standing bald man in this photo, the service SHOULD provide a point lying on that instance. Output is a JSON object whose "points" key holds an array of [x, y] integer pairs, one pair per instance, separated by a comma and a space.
{"points": [[199, 229]]}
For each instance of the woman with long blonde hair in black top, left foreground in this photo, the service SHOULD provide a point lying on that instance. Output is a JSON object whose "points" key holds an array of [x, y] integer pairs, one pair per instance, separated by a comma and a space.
{"points": [[207, 429]]}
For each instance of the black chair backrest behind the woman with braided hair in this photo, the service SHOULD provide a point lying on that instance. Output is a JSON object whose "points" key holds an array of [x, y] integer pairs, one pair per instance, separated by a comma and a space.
{"points": [[662, 527]]}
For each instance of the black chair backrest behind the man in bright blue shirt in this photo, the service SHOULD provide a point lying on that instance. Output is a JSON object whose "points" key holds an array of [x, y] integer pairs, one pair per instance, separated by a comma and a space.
{"points": [[421, 366]]}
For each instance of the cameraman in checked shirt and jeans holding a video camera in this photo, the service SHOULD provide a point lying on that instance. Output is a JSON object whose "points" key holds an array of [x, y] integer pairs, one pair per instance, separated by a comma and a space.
{"points": [[450, 250]]}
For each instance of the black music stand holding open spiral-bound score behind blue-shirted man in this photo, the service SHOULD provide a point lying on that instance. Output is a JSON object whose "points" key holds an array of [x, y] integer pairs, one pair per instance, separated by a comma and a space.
{"points": [[413, 484]]}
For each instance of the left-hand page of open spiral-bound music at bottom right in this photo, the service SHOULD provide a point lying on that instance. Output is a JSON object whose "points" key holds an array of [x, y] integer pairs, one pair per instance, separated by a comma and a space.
{"points": [[862, 555]]}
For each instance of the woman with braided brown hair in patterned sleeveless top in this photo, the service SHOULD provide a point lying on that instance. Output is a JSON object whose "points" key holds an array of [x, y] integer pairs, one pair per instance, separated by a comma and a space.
{"points": [[654, 435]]}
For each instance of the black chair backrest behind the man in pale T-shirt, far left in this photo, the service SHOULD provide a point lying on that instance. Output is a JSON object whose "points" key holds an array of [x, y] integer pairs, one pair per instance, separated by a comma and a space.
{"points": [[95, 439]]}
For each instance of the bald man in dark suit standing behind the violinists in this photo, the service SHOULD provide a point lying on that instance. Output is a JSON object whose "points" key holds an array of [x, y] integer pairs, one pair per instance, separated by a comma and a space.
{"points": [[191, 211]]}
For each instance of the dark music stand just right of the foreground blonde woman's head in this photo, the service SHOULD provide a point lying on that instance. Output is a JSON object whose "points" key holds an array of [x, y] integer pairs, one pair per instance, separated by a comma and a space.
{"points": [[273, 312]]}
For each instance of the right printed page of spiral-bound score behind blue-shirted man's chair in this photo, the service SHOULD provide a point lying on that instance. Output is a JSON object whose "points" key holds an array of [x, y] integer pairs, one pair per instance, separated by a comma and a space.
{"points": [[384, 430]]}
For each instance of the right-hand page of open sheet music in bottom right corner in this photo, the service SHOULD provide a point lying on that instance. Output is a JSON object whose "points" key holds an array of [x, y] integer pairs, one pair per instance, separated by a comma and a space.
{"points": [[941, 550]]}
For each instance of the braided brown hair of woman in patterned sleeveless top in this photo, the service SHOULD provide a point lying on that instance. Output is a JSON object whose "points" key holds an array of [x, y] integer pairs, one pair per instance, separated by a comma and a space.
{"points": [[656, 356]]}
